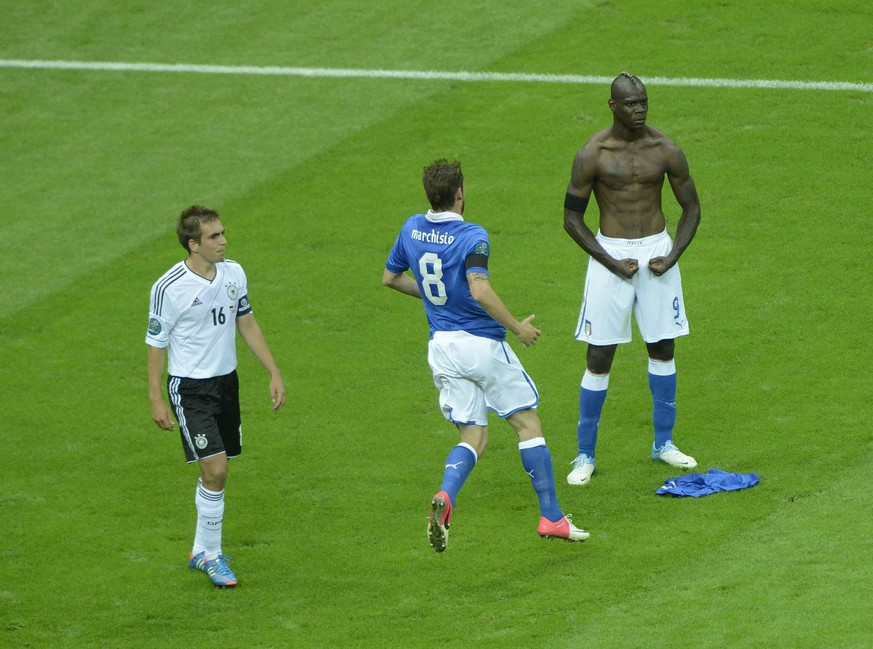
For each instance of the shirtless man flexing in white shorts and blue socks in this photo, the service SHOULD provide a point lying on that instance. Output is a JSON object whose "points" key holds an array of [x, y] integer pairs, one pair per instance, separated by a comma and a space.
{"points": [[632, 265]]}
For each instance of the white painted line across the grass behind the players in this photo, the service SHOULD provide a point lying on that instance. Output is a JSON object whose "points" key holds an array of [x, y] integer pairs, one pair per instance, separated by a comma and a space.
{"points": [[347, 73]]}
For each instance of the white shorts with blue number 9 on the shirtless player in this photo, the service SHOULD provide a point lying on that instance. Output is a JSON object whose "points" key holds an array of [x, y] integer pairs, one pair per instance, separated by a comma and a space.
{"points": [[608, 301]]}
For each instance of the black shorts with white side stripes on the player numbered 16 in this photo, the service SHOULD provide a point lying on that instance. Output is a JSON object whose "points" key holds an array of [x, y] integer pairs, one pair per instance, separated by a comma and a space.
{"points": [[208, 414]]}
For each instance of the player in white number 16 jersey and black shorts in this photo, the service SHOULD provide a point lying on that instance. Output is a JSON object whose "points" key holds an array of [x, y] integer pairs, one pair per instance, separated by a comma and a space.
{"points": [[195, 310]]}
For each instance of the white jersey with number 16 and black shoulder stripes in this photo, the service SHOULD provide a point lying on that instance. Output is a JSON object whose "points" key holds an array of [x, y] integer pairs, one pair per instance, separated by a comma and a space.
{"points": [[196, 318]]}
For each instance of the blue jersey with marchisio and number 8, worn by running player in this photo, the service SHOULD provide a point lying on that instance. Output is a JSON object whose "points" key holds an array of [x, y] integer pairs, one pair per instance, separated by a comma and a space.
{"points": [[436, 246]]}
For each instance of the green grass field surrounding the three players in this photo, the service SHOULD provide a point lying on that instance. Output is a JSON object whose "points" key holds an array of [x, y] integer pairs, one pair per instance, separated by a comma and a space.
{"points": [[313, 176]]}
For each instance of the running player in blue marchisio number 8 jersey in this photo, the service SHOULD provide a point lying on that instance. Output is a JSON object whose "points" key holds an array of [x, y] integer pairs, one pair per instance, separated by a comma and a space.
{"points": [[473, 367]]}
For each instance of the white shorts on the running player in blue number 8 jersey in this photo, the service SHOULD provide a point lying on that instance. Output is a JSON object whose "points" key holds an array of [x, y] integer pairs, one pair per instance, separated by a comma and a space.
{"points": [[476, 374]]}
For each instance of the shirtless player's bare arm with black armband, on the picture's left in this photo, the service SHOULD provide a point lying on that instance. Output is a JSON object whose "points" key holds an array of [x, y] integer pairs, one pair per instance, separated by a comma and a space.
{"points": [[578, 193]]}
